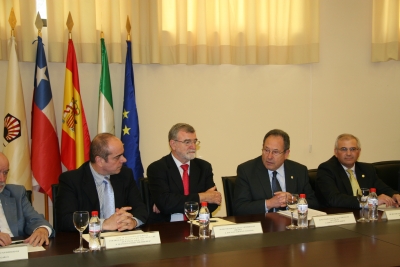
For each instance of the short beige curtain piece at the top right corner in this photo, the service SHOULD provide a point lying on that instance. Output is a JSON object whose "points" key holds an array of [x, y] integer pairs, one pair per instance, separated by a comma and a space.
{"points": [[385, 30]]}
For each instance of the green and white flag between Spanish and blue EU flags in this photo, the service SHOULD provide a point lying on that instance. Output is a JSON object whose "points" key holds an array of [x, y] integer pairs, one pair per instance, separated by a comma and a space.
{"points": [[105, 123]]}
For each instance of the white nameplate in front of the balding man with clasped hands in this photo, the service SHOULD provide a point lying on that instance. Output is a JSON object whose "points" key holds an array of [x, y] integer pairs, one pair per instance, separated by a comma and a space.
{"points": [[141, 239]]}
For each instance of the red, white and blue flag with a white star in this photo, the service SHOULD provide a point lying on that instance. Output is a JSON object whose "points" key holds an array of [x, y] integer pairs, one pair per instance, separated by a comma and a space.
{"points": [[46, 161]]}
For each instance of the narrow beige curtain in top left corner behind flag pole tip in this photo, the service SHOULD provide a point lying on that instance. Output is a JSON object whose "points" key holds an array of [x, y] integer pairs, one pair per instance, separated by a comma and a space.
{"points": [[25, 13]]}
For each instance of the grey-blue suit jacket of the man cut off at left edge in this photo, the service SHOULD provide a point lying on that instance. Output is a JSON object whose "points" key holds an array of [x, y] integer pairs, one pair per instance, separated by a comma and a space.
{"points": [[21, 217]]}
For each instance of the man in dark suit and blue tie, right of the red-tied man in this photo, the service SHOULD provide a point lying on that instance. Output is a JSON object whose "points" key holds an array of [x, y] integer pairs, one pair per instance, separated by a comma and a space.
{"points": [[263, 183]]}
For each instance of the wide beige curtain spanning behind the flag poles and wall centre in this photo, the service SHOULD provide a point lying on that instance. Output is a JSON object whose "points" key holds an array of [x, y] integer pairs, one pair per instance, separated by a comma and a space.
{"points": [[189, 31]]}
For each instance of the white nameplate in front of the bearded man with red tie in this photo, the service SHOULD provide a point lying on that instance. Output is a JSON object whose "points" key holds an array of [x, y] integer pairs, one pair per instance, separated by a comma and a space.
{"points": [[237, 229]]}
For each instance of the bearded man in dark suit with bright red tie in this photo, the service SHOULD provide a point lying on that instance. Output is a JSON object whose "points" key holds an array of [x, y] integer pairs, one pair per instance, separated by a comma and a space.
{"points": [[168, 176]]}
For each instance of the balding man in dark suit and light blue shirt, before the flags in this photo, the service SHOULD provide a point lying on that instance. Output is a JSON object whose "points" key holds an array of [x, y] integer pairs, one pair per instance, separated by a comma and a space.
{"points": [[88, 188]]}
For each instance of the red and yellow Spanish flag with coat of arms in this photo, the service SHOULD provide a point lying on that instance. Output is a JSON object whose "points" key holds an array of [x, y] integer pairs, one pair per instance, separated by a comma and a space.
{"points": [[75, 138]]}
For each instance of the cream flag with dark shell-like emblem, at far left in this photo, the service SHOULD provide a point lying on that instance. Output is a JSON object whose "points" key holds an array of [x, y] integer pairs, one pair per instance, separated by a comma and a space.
{"points": [[16, 139]]}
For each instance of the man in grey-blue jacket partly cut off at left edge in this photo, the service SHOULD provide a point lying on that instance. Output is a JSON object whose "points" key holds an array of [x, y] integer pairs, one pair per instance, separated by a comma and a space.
{"points": [[20, 218]]}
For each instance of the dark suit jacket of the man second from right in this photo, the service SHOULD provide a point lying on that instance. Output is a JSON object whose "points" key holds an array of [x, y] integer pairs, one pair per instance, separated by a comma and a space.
{"points": [[253, 186]]}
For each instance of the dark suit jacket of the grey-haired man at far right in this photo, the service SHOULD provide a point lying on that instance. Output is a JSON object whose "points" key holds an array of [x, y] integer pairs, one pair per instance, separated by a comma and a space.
{"points": [[333, 183]]}
